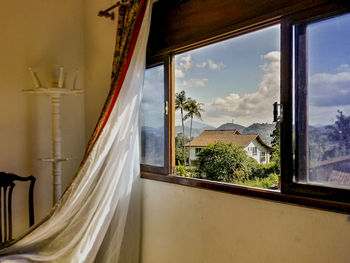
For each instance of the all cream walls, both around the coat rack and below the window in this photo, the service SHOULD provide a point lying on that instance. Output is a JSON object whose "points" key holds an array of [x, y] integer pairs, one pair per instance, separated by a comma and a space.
{"points": [[180, 224]]}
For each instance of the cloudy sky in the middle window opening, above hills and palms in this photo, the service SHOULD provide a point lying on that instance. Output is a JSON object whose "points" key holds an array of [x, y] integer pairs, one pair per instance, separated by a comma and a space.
{"points": [[236, 79]]}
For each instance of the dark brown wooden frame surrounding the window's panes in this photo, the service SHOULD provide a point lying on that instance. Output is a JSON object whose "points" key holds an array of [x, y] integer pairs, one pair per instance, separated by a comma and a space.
{"points": [[306, 195]]}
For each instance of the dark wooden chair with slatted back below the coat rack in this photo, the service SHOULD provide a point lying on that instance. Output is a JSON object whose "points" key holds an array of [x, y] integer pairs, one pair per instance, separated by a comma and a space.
{"points": [[6, 187]]}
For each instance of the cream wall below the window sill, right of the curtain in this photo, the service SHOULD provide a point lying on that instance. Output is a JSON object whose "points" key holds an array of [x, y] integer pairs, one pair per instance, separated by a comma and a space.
{"points": [[184, 224]]}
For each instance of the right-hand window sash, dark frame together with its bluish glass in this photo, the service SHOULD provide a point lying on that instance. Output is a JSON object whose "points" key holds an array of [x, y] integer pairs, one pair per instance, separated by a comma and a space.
{"points": [[321, 60]]}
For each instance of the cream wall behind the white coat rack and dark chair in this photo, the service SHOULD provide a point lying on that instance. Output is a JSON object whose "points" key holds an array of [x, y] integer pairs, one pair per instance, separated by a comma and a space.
{"points": [[42, 34]]}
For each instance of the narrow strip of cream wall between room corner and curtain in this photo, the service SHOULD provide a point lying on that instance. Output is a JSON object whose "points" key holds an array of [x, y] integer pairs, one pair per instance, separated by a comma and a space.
{"points": [[100, 36]]}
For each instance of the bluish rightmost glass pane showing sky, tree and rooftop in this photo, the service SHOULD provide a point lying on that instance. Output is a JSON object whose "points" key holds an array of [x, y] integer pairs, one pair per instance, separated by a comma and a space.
{"points": [[328, 101]]}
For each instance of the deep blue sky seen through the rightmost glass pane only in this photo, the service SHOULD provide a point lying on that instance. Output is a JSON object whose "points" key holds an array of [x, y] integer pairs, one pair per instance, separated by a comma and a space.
{"points": [[329, 69]]}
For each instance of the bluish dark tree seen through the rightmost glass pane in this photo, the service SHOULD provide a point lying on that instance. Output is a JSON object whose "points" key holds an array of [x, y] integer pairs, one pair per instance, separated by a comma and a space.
{"points": [[340, 132]]}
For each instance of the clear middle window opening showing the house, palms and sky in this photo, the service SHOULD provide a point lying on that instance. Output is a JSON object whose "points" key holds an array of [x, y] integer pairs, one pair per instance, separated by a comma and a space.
{"points": [[224, 100]]}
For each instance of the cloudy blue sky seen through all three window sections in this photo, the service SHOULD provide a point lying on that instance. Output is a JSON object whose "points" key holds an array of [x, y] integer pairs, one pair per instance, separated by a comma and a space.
{"points": [[239, 79]]}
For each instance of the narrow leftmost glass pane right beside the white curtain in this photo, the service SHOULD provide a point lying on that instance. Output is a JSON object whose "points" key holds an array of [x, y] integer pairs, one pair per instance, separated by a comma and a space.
{"points": [[152, 117]]}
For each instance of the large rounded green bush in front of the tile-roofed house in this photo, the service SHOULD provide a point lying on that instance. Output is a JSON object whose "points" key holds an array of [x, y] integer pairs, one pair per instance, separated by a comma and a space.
{"points": [[224, 162]]}
